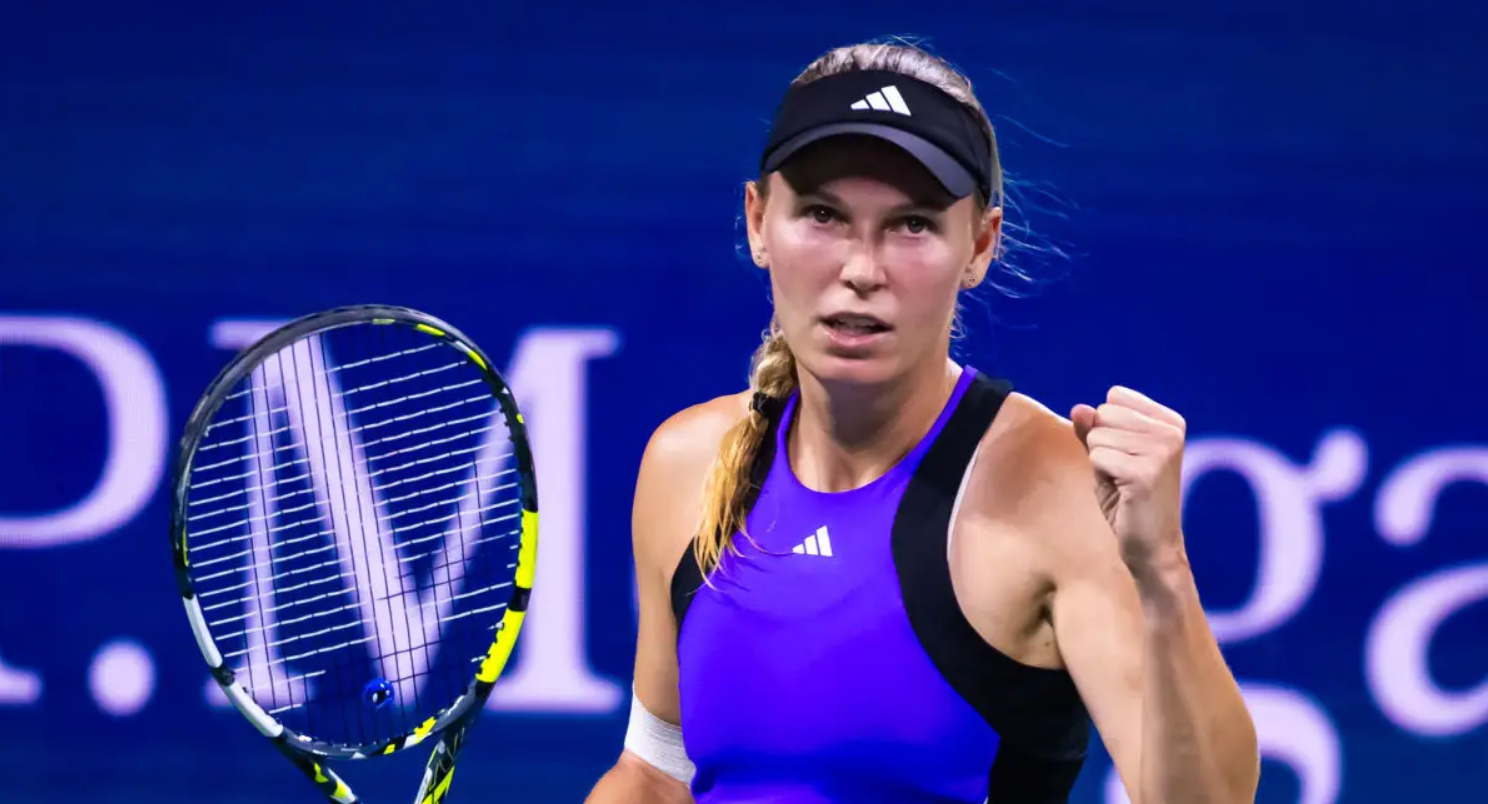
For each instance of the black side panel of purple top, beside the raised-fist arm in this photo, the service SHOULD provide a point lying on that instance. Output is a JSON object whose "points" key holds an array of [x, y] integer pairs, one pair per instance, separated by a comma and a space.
{"points": [[1038, 714]]}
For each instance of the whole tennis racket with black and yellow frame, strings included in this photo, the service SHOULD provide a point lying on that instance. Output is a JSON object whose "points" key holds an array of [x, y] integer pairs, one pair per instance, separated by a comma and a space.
{"points": [[355, 531]]}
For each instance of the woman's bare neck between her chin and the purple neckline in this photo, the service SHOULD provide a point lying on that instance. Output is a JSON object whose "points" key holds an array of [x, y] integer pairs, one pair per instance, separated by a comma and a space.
{"points": [[844, 438]]}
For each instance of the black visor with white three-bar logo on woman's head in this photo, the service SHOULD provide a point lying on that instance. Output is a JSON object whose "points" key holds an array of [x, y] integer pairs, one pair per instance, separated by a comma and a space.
{"points": [[917, 117]]}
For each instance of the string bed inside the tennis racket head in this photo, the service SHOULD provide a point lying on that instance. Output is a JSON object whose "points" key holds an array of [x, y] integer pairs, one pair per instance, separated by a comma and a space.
{"points": [[318, 540]]}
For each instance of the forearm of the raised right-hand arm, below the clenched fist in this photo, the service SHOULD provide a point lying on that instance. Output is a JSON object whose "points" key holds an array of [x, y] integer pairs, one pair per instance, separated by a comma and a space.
{"points": [[1199, 741]]}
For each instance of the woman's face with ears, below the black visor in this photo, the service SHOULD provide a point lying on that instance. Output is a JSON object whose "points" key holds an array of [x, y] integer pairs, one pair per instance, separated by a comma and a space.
{"points": [[867, 255]]}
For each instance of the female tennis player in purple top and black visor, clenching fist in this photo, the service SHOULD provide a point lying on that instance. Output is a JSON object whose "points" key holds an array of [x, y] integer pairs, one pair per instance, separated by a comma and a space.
{"points": [[880, 577]]}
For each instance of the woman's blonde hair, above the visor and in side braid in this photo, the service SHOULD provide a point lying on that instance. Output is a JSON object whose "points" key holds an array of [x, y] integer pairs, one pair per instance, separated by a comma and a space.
{"points": [[730, 488]]}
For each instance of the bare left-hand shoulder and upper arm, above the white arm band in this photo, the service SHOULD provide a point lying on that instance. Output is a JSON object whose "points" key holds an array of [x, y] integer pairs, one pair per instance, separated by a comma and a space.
{"points": [[669, 498]]}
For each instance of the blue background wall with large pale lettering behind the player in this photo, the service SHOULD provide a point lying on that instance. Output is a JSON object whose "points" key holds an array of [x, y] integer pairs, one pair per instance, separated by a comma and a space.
{"points": [[1271, 214]]}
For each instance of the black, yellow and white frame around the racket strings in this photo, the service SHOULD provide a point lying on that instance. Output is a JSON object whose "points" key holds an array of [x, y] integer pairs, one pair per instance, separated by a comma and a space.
{"points": [[458, 717]]}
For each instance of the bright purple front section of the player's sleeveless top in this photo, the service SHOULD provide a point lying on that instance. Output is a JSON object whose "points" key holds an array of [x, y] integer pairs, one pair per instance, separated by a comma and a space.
{"points": [[801, 677]]}
